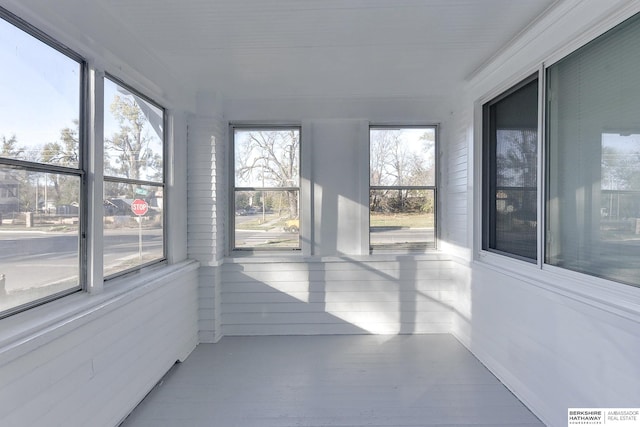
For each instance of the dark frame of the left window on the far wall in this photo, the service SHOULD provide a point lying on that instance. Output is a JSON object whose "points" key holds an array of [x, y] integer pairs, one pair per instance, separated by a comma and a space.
{"points": [[231, 236]]}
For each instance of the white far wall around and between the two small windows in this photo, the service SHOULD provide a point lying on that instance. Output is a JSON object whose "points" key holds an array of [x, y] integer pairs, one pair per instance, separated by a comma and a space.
{"points": [[333, 285]]}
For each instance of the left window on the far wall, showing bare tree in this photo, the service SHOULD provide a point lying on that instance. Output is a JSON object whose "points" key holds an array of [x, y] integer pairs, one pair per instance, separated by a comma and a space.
{"points": [[266, 189]]}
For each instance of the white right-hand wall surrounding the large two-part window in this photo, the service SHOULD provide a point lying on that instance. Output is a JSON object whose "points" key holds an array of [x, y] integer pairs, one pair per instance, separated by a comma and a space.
{"points": [[555, 338]]}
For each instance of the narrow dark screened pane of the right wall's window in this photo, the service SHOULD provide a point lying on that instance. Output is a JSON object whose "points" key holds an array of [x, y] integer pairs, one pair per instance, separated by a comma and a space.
{"points": [[511, 163]]}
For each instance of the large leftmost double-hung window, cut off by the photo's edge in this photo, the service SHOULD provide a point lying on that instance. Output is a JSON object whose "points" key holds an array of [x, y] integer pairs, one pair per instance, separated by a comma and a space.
{"points": [[41, 168]]}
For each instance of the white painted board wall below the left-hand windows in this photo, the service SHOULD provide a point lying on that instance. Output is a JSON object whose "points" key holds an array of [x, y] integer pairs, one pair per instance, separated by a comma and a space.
{"points": [[92, 367]]}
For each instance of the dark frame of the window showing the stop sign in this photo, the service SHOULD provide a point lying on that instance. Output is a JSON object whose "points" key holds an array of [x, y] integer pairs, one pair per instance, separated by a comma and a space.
{"points": [[163, 184]]}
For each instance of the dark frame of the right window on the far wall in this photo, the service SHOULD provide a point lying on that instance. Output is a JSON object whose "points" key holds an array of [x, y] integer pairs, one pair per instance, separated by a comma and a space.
{"points": [[427, 248]]}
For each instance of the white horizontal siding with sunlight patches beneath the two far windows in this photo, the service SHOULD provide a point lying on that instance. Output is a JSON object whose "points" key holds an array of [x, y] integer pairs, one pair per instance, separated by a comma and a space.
{"points": [[337, 296]]}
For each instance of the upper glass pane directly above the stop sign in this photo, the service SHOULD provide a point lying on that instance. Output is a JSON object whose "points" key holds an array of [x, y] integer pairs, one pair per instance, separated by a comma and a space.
{"points": [[133, 135]]}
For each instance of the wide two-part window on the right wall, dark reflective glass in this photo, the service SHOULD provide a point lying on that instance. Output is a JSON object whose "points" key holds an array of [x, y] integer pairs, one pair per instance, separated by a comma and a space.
{"points": [[591, 167]]}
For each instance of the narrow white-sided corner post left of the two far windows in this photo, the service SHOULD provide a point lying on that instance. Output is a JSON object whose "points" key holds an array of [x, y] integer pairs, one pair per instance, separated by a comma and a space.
{"points": [[206, 204]]}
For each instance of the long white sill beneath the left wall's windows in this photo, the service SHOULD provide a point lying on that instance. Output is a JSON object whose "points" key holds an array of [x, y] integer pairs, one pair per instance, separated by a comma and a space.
{"points": [[35, 327]]}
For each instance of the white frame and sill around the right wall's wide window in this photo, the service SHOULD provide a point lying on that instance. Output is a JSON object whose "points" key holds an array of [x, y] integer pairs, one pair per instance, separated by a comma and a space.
{"points": [[580, 284]]}
